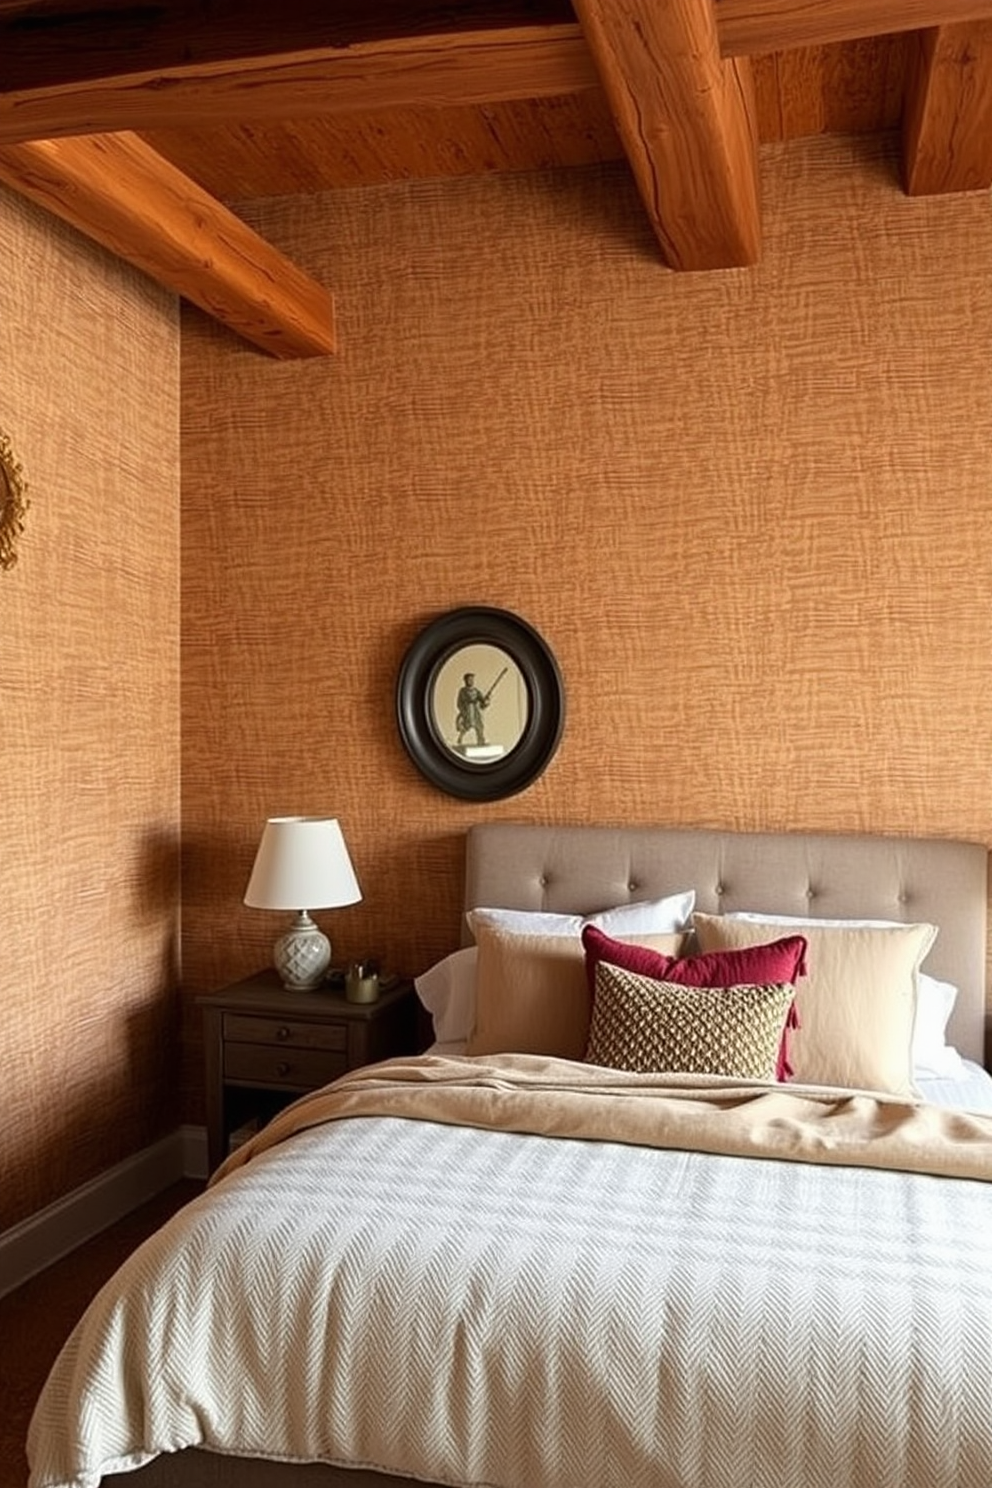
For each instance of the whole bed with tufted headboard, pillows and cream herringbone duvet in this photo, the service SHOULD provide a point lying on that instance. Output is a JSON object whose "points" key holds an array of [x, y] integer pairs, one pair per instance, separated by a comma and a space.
{"points": [[523, 1270]]}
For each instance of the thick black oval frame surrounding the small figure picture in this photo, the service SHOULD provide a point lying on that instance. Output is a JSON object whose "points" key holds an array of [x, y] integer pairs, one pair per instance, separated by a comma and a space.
{"points": [[417, 716]]}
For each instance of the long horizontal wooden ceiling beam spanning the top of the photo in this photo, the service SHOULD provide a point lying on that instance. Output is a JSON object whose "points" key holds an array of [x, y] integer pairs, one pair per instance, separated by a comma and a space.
{"points": [[80, 66]]}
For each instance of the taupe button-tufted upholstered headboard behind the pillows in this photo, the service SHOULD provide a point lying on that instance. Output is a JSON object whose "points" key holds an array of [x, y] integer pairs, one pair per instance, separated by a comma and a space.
{"points": [[582, 870]]}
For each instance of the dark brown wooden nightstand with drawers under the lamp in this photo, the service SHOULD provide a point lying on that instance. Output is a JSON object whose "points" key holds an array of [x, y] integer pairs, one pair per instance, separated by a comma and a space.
{"points": [[265, 1047]]}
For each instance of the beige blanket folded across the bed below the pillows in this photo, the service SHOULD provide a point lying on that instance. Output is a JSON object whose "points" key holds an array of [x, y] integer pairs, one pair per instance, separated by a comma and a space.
{"points": [[561, 1099]]}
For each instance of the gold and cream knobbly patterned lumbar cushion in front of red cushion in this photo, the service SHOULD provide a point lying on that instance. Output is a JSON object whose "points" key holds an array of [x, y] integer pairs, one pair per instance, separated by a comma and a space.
{"points": [[640, 1023]]}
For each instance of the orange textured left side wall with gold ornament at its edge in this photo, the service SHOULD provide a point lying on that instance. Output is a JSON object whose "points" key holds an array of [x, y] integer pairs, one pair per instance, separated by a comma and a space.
{"points": [[88, 713]]}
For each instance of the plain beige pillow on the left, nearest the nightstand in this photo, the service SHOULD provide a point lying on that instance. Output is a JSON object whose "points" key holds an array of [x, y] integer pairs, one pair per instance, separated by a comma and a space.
{"points": [[533, 992]]}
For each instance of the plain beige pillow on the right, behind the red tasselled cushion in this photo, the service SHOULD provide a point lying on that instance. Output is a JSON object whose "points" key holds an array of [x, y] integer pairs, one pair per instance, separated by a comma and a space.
{"points": [[856, 1005]]}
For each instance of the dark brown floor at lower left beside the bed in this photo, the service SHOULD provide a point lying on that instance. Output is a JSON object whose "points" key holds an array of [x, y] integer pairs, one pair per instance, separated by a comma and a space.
{"points": [[36, 1319]]}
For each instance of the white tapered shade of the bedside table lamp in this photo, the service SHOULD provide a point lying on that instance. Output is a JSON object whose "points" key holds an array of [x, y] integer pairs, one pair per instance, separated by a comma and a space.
{"points": [[303, 864]]}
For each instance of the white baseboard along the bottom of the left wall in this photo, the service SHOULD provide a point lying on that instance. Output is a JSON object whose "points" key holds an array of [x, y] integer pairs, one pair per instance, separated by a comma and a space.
{"points": [[69, 1222]]}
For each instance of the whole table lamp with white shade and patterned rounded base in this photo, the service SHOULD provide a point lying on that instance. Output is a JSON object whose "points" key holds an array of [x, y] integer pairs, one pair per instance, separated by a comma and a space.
{"points": [[303, 864]]}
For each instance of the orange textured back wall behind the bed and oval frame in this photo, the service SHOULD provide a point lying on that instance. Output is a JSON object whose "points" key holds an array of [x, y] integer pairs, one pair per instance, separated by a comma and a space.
{"points": [[750, 511]]}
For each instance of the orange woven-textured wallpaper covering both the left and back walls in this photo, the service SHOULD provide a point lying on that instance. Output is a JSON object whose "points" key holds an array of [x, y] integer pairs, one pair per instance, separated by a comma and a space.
{"points": [[749, 511]]}
